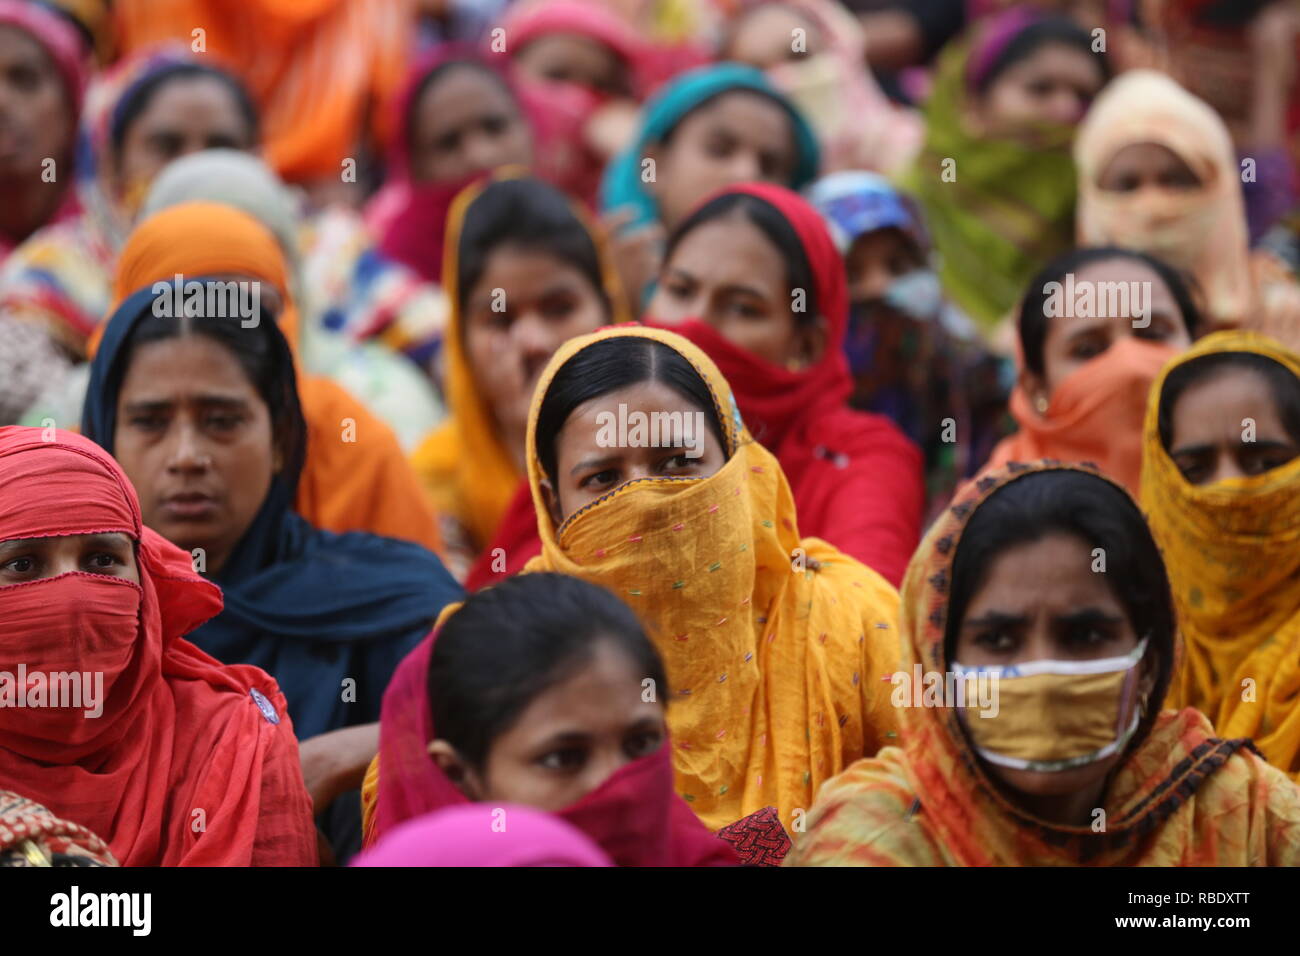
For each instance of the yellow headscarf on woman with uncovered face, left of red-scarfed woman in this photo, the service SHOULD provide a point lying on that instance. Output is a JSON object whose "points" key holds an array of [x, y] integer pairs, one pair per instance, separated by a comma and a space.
{"points": [[467, 470]]}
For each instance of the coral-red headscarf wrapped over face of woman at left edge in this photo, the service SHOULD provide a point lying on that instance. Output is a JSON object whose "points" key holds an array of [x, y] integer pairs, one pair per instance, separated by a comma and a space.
{"points": [[190, 763]]}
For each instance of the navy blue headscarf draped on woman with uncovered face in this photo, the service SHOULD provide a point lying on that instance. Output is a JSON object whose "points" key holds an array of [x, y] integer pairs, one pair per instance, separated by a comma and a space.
{"points": [[313, 608]]}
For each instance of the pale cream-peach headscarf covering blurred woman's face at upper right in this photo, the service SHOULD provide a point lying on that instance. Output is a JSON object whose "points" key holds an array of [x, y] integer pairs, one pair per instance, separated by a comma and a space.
{"points": [[1202, 232]]}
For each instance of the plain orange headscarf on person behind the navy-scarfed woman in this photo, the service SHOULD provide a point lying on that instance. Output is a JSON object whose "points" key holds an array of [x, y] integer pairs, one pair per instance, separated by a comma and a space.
{"points": [[357, 477]]}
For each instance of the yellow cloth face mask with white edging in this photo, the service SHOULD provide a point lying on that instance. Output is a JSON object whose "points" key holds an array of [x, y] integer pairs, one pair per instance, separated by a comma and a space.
{"points": [[1052, 716]]}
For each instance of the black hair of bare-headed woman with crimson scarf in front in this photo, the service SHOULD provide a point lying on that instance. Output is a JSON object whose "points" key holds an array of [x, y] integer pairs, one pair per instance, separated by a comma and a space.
{"points": [[510, 643]]}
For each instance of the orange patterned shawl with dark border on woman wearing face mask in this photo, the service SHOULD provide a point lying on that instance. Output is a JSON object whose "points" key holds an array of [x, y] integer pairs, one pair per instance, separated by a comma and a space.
{"points": [[1180, 798]]}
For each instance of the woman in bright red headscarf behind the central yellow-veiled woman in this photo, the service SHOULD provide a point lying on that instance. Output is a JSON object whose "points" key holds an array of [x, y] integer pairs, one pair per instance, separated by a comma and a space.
{"points": [[753, 278]]}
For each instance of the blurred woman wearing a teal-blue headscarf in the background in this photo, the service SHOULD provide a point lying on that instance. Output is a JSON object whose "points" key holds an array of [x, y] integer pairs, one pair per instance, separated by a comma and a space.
{"points": [[708, 129]]}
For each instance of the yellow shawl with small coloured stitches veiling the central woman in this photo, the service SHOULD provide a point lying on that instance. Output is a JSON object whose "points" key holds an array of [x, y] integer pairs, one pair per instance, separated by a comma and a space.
{"points": [[774, 644]]}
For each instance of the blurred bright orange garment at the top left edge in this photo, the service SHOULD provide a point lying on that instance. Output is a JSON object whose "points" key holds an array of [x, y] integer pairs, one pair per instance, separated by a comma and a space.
{"points": [[319, 70]]}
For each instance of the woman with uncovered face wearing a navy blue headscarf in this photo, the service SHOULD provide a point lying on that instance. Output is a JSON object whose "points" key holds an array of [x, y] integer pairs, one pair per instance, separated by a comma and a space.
{"points": [[202, 412]]}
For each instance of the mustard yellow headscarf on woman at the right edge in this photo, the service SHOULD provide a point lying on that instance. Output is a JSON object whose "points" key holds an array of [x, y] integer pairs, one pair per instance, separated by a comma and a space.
{"points": [[1233, 551]]}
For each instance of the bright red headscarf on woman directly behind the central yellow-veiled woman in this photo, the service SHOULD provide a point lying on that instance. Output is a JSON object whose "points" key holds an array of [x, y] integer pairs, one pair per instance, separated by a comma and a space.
{"points": [[857, 479]]}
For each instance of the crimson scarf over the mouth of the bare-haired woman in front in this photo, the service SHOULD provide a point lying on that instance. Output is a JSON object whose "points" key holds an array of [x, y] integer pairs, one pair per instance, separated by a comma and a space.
{"points": [[635, 816]]}
